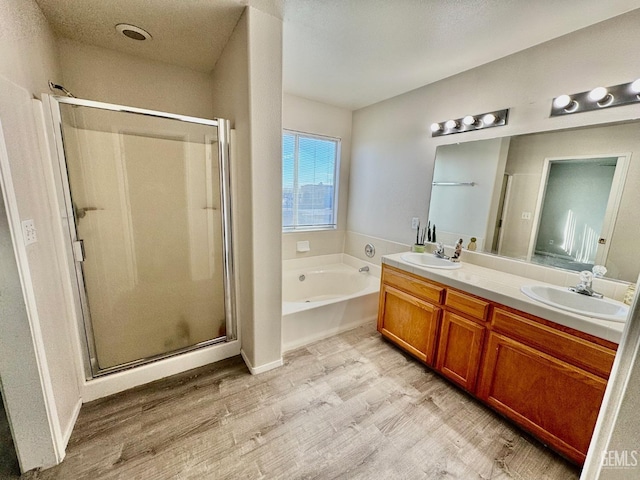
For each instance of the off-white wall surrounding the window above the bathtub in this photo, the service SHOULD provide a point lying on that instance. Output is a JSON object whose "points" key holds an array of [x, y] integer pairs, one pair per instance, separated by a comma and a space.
{"points": [[308, 116]]}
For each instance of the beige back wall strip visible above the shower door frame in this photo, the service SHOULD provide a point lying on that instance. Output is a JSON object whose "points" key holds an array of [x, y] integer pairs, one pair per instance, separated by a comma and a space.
{"points": [[95, 73]]}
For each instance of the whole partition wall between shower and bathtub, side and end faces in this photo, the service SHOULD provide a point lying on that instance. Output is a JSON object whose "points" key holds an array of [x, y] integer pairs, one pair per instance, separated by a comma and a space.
{"points": [[248, 90]]}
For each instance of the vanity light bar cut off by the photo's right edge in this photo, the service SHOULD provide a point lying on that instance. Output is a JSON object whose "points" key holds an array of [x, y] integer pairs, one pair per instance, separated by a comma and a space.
{"points": [[599, 97]]}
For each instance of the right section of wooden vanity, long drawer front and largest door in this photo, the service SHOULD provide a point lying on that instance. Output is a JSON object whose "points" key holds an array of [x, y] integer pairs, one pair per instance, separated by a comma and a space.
{"points": [[548, 381]]}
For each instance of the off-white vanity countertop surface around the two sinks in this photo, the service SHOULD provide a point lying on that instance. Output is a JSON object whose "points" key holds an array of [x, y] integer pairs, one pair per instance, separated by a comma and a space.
{"points": [[504, 288]]}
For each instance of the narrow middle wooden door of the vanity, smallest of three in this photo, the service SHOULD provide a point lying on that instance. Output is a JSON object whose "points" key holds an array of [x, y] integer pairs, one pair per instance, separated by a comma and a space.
{"points": [[459, 350]]}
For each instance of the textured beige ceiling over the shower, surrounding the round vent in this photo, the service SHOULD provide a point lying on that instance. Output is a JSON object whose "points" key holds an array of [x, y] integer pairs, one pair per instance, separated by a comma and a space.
{"points": [[189, 33]]}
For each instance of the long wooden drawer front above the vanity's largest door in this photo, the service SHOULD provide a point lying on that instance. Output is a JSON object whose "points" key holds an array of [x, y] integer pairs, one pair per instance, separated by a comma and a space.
{"points": [[590, 356]]}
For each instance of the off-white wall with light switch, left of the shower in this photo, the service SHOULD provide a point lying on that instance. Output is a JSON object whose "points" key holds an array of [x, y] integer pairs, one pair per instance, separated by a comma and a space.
{"points": [[28, 59]]}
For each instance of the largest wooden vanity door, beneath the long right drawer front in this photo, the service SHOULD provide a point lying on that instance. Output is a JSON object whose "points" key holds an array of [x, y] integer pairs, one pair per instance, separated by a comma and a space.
{"points": [[556, 401]]}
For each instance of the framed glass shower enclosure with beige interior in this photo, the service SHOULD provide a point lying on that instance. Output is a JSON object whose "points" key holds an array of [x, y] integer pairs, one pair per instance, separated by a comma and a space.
{"points": [[146, 199]]}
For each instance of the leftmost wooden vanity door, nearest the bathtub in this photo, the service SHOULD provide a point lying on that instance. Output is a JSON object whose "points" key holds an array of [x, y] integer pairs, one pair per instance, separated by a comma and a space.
{"points": [[409, 322]]}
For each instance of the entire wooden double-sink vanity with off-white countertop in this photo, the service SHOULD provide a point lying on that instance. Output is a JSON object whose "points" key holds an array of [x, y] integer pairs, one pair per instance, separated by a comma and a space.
{"points": [[544, 369]]}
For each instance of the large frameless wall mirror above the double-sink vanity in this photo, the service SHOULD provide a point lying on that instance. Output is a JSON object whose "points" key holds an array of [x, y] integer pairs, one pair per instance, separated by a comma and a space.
{"points": [[567, 198]]}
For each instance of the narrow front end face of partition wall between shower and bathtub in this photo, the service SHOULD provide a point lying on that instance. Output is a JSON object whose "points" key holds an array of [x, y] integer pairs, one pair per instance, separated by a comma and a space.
{"points": [[265, 104]]}
